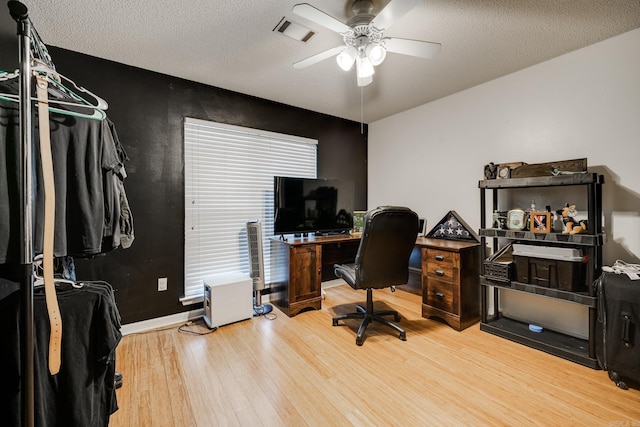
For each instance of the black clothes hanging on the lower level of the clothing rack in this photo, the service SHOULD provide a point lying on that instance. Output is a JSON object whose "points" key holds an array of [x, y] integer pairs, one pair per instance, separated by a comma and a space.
{"points": [[83, 392]]}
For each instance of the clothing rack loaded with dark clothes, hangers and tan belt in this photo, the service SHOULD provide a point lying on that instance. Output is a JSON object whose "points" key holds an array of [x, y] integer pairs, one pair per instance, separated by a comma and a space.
{"points": [[75, 386]]}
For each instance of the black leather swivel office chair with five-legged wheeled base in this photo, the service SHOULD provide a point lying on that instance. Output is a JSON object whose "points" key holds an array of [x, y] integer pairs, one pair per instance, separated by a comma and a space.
{"points": [[382, 261]]}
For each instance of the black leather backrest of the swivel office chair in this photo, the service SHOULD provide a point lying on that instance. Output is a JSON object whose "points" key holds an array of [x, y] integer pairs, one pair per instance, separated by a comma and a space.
{"points": [[388, 237]]}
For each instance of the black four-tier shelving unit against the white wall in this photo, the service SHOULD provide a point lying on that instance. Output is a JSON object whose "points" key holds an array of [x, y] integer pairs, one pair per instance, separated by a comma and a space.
{"points": [[569, 347]]}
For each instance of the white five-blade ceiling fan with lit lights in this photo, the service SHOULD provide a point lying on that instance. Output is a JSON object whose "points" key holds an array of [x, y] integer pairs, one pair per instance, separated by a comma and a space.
{"points": [[363, 36]]}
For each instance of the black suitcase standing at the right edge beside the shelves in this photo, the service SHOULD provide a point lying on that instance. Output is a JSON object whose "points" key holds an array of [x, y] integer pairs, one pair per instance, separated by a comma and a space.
{"points": [[618, 328]]}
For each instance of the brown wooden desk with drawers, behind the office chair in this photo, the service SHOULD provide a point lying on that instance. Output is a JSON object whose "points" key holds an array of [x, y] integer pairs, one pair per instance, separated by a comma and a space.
{"points": [[449, 275]]}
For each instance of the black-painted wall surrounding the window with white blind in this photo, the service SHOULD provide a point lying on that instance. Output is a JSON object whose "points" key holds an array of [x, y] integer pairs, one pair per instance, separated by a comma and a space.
{"points": [[148, 110]]}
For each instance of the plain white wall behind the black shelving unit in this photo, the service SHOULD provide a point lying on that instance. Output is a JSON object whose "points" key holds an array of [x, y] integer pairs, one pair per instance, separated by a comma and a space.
{"points": [[585, 104]]}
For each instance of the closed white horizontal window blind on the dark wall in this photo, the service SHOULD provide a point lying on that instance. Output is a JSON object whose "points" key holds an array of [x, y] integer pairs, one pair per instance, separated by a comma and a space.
{"points": [[229, 174]]}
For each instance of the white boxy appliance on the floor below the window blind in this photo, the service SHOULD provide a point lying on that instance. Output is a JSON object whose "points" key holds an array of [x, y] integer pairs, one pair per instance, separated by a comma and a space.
{"points": [[227, 299]]}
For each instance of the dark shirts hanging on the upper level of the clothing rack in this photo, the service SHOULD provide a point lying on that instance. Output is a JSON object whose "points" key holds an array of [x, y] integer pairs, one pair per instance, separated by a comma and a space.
{"points": [[86, 156]]}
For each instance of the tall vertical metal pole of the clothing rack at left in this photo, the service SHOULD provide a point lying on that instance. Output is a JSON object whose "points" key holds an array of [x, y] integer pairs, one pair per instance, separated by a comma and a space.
{"points": [[19, 13]]}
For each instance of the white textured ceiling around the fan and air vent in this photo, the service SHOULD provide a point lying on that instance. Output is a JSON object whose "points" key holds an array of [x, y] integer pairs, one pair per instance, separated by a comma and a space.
{"points": [[230, 44]]}
